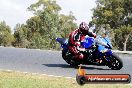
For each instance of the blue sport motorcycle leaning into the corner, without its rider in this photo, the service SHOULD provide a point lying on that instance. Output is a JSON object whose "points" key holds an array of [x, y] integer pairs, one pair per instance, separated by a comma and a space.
{"points": [[98, 52]]}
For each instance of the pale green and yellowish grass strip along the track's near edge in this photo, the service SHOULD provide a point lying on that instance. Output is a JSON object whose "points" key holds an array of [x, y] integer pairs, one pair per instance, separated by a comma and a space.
{"points": [[27, 80]]}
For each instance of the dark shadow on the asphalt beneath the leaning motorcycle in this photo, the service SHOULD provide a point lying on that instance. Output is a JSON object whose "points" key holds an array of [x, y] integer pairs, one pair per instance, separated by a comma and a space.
{"points": [[68, 66]]}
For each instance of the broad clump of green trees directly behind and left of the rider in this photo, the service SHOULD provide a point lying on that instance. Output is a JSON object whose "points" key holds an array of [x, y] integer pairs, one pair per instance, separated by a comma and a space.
{"points": [[41, 30]]}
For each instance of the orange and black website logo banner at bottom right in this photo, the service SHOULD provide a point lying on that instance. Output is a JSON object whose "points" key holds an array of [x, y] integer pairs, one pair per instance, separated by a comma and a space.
{"points": [[83, 78]]}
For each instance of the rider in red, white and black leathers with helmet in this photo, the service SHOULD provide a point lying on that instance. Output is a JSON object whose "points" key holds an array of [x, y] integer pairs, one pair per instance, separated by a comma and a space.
{"points": [[76, 37]]}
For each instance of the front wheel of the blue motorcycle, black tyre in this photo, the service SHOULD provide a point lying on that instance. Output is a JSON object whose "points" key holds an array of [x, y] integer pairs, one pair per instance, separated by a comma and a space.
{"points": [[115, 63]]}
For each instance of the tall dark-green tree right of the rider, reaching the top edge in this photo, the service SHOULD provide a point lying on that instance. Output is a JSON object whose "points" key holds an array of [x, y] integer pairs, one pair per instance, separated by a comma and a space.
{"points": [[116, 14]]}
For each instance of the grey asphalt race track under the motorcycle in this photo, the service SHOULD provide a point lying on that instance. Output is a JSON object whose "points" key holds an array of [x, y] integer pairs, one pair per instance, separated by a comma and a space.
{"points": [[51, 63]]}
